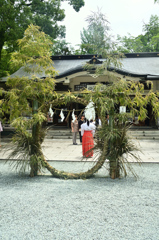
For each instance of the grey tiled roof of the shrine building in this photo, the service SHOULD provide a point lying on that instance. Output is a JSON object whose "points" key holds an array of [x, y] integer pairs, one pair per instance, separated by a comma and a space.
{"points": [[144, 64]]}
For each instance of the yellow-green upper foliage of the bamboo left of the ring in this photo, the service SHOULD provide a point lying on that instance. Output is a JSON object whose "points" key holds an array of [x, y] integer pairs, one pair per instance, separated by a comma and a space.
{"points": [[34, 56]]}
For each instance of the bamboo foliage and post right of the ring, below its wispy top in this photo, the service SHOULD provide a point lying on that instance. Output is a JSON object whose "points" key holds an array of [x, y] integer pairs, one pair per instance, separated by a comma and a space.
{"points": [[112, 139]]}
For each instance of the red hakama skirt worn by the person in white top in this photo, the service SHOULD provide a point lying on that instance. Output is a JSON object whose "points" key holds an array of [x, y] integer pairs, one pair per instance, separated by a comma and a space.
{"points": [[87, 144]]}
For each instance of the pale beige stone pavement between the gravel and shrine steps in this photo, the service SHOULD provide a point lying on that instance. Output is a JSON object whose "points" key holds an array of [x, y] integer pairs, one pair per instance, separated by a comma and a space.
{"points": [[64, 150]]}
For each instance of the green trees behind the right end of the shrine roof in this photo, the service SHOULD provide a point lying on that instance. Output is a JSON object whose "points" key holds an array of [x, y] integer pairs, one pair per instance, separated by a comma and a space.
{"points": [[147, 42]]}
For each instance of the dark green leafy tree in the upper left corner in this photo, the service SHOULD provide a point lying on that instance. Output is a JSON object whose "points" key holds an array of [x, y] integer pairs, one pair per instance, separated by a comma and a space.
{"points": [[15, 16]]}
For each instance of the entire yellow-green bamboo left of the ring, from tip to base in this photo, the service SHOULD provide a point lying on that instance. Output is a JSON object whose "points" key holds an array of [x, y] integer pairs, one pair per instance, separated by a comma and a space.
{"points": [[26, 95]]}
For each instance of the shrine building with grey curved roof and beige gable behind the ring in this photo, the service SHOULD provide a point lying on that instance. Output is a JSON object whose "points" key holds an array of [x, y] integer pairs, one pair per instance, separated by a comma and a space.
{"points": [[72, 75]]}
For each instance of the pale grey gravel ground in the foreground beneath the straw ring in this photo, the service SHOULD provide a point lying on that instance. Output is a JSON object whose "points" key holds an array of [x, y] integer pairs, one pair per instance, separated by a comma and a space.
{"points": [[44, 208]]}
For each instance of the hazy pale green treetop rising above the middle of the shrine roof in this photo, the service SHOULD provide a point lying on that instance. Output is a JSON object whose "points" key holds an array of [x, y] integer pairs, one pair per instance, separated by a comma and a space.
{"points": [[95, 38]]}
